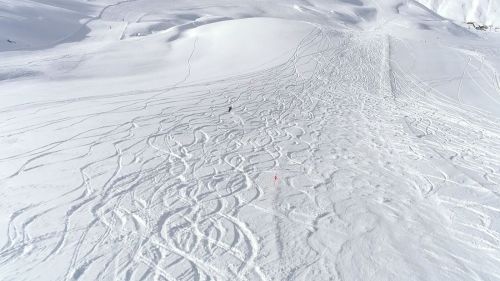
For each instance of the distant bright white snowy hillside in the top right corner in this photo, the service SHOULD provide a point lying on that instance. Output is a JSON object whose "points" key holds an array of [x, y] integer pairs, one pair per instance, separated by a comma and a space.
{"points": [[486, 12]]}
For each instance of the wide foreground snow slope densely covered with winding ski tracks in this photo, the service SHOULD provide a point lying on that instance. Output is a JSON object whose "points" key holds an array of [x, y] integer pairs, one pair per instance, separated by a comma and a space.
{"points": [[178, 188]]}
